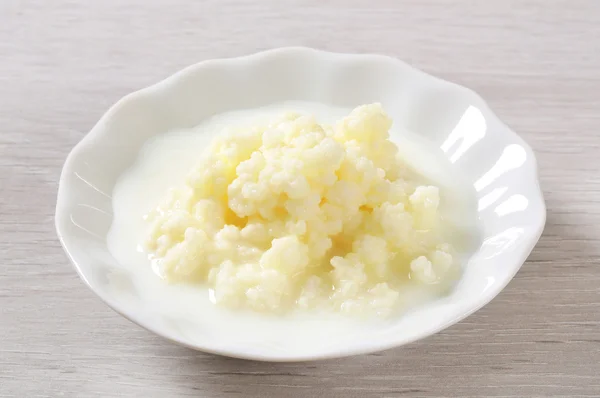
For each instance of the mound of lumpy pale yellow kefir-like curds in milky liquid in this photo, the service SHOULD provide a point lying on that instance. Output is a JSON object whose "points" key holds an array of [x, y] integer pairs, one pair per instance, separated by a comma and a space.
{"points": [[296, 214]]}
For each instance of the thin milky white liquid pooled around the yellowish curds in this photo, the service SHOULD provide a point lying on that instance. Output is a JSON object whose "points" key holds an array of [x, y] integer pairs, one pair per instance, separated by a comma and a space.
{"points": [[164, 162]]}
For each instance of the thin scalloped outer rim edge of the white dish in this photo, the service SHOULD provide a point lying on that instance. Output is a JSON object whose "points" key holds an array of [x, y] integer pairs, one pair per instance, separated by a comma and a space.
{"points": [[262, 56]]}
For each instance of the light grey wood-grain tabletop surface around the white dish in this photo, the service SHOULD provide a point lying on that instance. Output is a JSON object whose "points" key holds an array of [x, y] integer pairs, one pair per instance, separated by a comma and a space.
{"points": [[64, 62]]}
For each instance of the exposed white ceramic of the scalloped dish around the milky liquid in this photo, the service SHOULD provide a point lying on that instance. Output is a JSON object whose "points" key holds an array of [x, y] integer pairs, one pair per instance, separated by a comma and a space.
{"points": [[500, 165]]}
